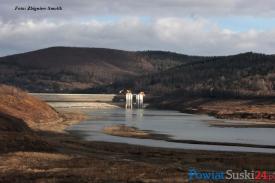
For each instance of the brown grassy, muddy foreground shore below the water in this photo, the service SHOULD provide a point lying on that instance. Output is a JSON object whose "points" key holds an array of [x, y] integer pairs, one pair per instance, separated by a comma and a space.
{"points": [[72, 159]]}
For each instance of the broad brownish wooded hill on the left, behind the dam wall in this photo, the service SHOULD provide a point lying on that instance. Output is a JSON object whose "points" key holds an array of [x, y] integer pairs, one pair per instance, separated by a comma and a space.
{"points": [[66, 69]]}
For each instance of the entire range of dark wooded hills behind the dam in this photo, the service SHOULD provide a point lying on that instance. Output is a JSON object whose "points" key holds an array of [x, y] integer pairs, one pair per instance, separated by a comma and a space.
{"points": [[67, 69]]}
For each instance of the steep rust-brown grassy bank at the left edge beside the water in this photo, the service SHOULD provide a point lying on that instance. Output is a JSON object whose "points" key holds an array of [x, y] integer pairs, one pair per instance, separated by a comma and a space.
{"points": [[20, 115]]}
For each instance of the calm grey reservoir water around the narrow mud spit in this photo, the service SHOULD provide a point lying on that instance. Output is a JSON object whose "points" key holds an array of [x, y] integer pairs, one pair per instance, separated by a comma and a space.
{"points": [[178, 125]]}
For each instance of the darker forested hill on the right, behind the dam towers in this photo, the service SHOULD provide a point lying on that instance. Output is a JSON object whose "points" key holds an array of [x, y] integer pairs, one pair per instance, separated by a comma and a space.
{"points": [[247, 74]]}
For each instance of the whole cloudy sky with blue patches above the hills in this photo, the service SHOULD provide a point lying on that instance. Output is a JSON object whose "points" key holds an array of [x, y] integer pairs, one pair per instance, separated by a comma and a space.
{"points": [[196, 27]]}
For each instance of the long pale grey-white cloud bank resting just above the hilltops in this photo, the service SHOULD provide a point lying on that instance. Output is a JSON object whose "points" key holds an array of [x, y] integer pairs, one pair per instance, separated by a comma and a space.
{"points": [[174, 34]]}
